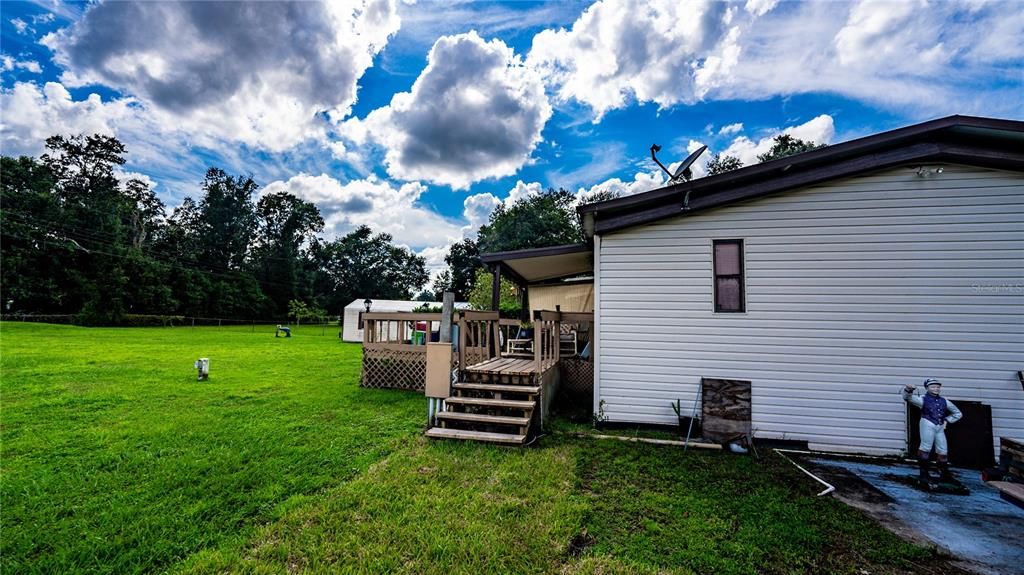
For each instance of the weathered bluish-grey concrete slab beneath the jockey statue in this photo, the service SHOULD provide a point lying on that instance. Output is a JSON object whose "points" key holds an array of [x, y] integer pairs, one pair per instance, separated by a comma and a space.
{"points": [[982, 529]]}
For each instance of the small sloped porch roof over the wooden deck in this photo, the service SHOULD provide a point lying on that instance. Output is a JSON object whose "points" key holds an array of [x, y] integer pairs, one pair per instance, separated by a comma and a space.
{"points": [[541, 264]]}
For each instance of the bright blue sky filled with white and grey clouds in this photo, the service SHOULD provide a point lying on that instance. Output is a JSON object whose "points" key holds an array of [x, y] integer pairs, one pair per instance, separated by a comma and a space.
{"points": [[418, 119]]}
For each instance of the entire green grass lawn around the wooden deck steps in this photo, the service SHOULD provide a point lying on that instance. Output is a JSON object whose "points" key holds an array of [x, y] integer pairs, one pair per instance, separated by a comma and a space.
{"points": [[116, 461]]}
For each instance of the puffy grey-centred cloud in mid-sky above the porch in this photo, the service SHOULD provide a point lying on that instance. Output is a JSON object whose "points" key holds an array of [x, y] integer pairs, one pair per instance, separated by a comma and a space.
{"points": [[475, 113]]}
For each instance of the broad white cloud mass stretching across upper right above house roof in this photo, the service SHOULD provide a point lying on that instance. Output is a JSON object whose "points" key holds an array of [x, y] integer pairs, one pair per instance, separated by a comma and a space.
{"points": [[925, 58]]}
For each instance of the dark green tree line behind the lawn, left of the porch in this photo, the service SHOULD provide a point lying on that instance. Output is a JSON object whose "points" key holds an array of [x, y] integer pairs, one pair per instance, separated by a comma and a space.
{"points": [[77, 240]]}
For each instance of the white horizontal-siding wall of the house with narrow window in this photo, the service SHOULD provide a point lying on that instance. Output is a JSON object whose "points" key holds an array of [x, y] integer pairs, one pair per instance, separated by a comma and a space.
{"points": [[854, 290]]}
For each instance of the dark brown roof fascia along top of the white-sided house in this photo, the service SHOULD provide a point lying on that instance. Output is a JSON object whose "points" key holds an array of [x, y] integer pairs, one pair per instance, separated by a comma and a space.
{"points": [[924, 143]]}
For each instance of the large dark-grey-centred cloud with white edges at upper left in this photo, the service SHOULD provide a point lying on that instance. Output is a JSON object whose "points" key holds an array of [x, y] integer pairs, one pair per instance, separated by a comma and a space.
{"points": [[265, 74]]}
